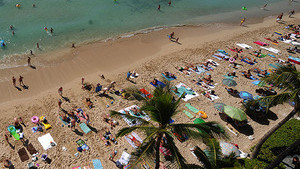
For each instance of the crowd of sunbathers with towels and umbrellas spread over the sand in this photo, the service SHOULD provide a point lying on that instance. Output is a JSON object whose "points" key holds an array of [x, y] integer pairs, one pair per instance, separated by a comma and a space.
{"points": [[72, 127]]}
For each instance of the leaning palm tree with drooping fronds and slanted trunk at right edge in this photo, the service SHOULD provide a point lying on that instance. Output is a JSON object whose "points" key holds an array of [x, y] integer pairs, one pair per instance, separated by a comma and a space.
{"points": [[286, 78]]}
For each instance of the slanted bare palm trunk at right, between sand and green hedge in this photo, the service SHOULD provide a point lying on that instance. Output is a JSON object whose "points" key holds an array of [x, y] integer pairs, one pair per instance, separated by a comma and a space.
{"points": [[270, 132]]}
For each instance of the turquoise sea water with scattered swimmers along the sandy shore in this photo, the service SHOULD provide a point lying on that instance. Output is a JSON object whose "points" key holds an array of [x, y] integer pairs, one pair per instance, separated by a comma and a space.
{"points": [[80, 21]]}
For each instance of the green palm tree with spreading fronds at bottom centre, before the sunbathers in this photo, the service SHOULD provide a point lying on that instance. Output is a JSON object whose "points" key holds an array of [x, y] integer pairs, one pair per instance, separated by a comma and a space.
{"points": [[161, 108]]}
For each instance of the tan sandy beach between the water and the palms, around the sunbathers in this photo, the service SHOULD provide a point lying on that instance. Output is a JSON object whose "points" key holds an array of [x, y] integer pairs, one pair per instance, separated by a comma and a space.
{"points": [[149, 55]]}
